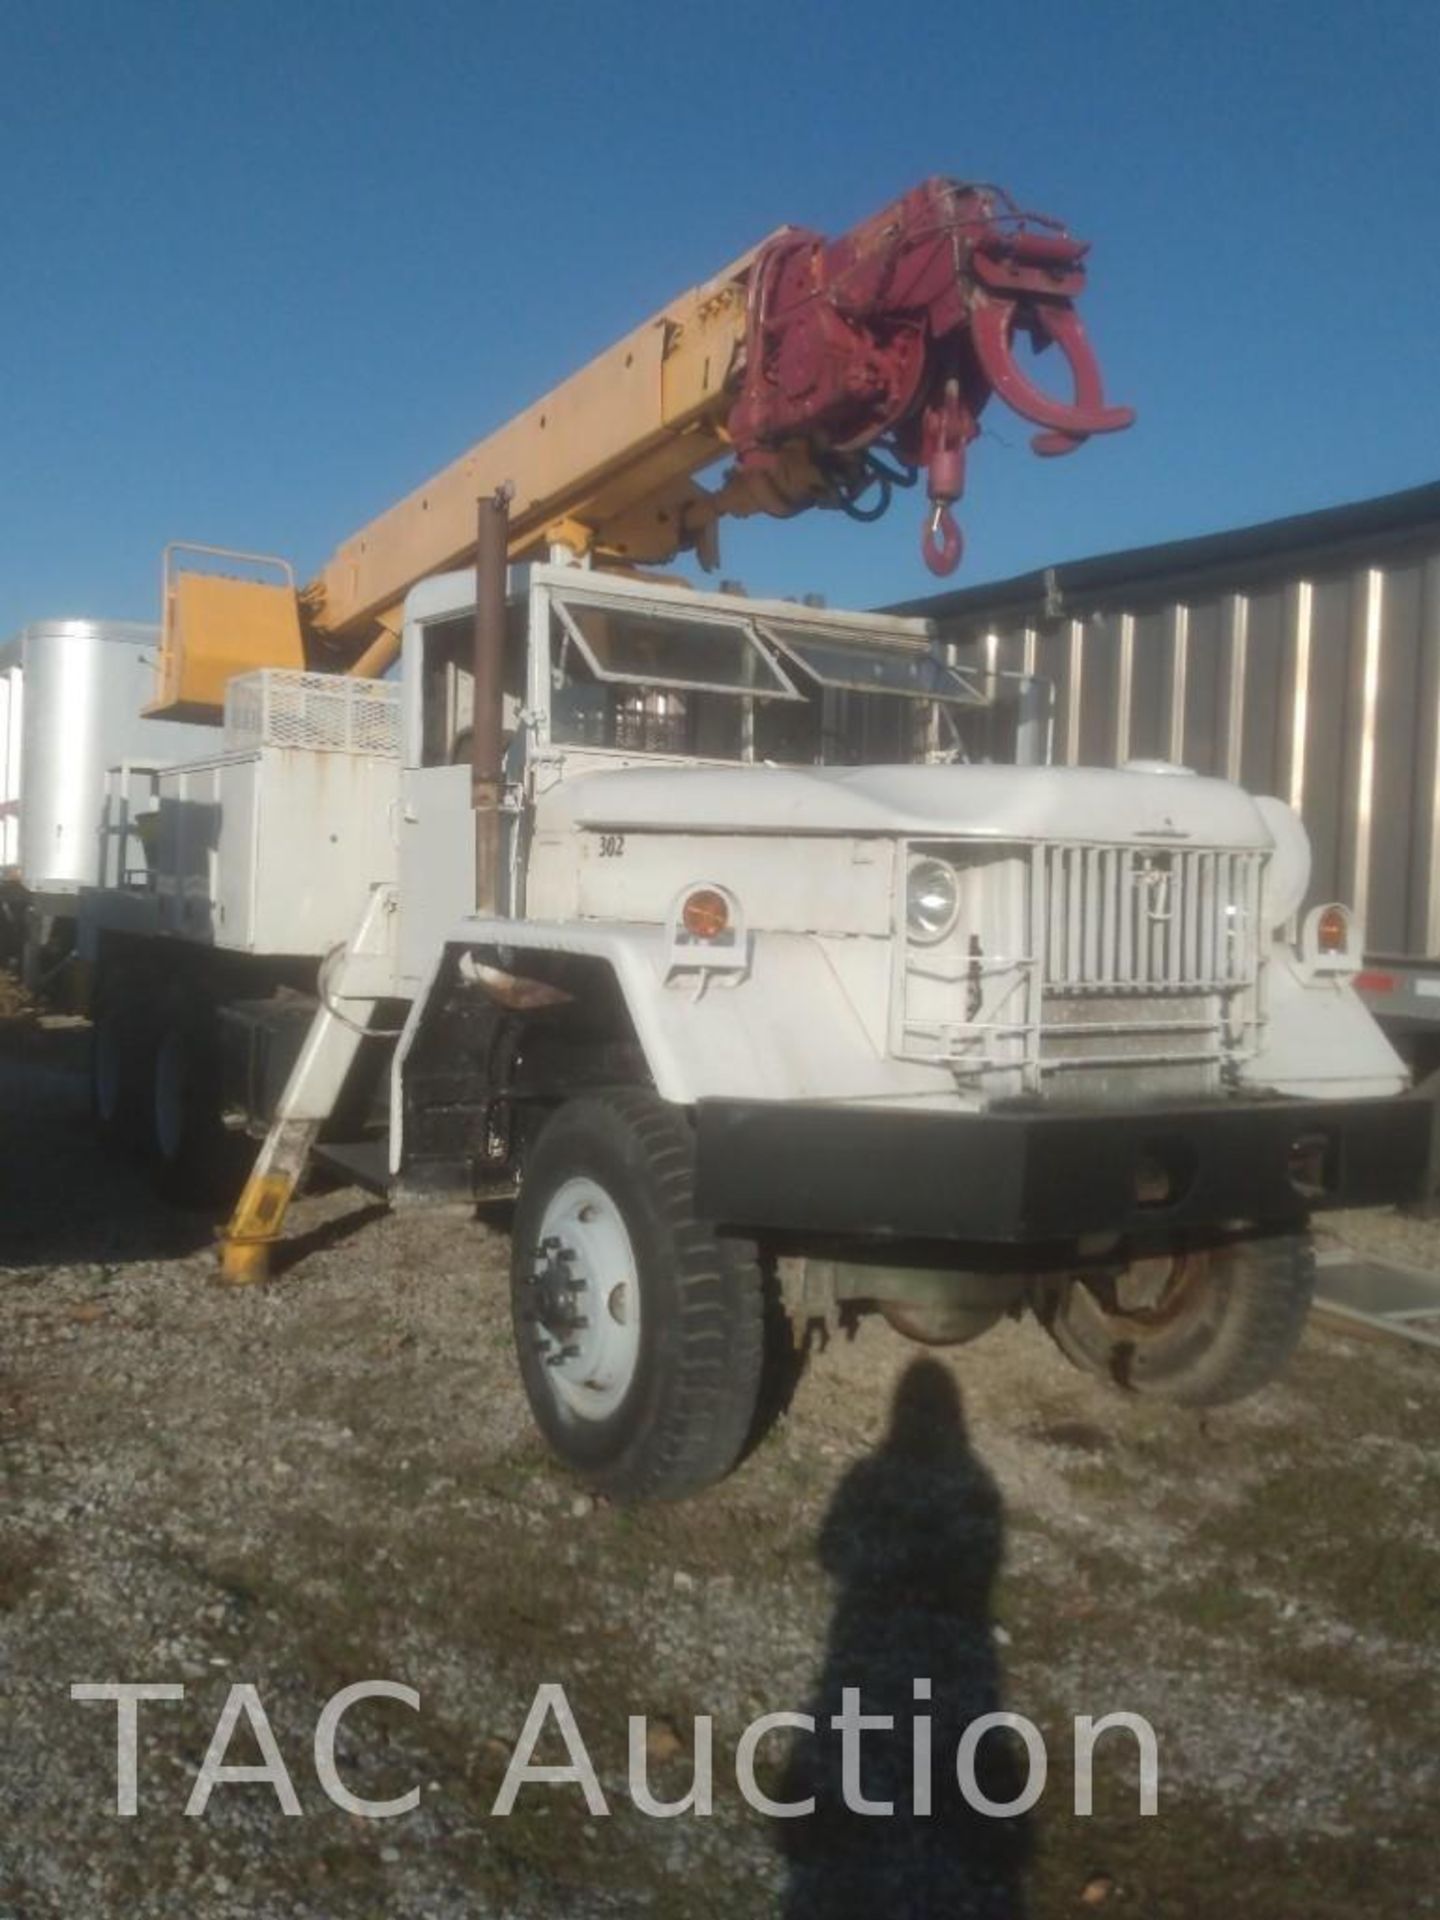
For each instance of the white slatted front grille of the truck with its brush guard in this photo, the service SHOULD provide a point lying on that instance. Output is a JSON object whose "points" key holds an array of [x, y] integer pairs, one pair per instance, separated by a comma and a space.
{"points": [[1105, 972]]}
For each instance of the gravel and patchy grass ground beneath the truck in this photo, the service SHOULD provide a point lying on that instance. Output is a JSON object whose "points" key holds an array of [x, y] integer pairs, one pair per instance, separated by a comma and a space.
{"points": [[335, 1479]]}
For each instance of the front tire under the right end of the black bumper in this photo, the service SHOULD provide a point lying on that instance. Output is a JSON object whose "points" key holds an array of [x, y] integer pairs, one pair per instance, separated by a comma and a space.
{"points": [[1199, 1328]]}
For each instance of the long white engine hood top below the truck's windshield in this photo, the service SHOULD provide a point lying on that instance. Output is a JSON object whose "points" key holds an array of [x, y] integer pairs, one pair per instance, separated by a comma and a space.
{"points": [[1007, 804]]}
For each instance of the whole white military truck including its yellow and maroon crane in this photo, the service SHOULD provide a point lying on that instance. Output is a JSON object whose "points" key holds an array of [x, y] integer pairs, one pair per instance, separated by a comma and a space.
{"points": [[700, 924]]}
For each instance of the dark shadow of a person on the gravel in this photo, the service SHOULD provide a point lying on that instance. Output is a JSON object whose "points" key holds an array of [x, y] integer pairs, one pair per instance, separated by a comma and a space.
{"points": [[913, 1541]]}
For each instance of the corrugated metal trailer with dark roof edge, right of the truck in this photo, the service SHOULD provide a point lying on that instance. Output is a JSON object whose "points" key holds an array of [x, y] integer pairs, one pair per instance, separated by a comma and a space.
{"points": [[1299, 658]]}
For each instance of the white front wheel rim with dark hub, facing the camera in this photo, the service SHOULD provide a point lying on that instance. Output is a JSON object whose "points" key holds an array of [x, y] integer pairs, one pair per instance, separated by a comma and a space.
{"points": [[587, 1259]]}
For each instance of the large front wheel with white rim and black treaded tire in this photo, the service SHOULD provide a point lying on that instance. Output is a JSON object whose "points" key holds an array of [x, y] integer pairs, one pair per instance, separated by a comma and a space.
{"points": [[640, 1332]]}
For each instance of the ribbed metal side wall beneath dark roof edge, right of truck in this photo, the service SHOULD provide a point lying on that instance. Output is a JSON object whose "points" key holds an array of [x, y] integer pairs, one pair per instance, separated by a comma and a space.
{"points": [[1318, 684]]}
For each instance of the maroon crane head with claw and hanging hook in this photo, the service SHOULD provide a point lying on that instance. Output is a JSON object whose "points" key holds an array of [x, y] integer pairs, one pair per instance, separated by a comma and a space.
{"points": [[896, 337]]}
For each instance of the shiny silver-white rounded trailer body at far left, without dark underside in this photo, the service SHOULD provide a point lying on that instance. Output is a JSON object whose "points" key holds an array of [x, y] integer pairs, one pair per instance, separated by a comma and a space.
{"points": [[72, 696]]}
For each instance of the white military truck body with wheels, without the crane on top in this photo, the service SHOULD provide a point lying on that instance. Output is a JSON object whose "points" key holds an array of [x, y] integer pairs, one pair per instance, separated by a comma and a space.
{"points": [[784, 1003]]}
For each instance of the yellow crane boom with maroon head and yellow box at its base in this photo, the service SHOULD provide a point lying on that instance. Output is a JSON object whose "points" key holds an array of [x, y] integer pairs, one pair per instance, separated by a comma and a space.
{"points": [[805, 360]]}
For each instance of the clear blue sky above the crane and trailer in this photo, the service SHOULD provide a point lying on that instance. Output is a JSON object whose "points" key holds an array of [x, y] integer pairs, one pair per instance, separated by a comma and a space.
{"points": [[270, 266]]}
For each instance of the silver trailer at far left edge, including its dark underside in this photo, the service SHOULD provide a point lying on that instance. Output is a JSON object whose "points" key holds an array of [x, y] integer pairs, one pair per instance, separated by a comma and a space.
{"points": [[72, 740]]}
